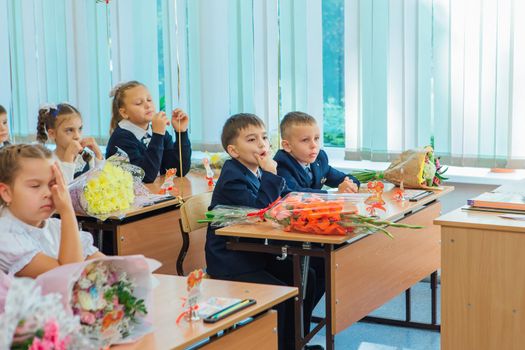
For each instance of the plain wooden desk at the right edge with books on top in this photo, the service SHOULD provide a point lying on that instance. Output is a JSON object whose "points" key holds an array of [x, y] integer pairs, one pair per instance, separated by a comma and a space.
{"points": [[482, 284]]}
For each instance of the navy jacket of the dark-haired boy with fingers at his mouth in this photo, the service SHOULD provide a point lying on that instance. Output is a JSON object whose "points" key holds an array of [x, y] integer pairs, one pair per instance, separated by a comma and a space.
{"points": [[238, 186]]}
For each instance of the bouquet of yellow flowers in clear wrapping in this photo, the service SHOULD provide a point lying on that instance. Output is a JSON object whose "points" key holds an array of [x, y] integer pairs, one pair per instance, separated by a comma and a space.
{"points": [[111, 189]]}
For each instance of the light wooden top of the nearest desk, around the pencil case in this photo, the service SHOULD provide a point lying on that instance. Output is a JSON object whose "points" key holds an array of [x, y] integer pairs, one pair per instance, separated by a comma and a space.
{"points": [[167, 307]]}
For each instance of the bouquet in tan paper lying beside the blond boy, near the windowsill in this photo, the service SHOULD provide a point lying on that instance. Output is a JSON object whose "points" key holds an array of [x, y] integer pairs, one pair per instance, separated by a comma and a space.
{"points": [[416, 168]]}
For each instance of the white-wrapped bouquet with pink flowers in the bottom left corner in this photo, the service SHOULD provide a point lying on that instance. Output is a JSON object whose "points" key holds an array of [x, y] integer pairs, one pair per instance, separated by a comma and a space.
{"points": [[31, 320]]}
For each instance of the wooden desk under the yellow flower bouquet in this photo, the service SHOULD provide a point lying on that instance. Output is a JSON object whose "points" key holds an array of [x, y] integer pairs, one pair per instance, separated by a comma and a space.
{"points": [[153, 231]]}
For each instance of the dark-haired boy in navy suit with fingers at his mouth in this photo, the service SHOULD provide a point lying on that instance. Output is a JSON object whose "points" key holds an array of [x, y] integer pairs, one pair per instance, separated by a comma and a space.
{"points": [[248, 179]]}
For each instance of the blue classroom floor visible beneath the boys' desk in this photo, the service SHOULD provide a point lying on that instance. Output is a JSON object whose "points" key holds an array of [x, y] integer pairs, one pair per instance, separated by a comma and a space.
{"points": [[367, 336]]}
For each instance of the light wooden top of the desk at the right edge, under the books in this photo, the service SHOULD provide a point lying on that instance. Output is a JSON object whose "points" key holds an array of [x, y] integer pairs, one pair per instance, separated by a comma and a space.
{"points": [[480, 220]]}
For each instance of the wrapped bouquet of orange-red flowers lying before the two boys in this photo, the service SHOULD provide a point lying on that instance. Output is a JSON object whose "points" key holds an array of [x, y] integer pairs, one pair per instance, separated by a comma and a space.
{"points": [[324, 214]]}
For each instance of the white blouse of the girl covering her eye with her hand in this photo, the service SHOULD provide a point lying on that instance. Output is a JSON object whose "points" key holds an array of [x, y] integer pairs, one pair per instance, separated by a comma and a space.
{"points": [[20, 242]]}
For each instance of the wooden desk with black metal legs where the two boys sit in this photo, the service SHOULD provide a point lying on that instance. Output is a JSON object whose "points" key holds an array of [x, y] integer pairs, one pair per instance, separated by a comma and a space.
{"points": [[362, 271]]}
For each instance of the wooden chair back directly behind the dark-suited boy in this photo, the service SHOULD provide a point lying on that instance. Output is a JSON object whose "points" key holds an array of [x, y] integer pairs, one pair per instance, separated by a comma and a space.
{"points": [[192, 210]]}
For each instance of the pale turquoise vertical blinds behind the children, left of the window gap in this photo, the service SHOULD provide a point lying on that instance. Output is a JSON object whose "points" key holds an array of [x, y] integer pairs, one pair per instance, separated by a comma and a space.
{"points": [[227, 56]]}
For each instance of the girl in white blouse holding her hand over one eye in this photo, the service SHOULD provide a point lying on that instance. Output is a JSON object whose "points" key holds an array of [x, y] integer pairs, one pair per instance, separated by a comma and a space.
{"points": [[32, 188]]}
